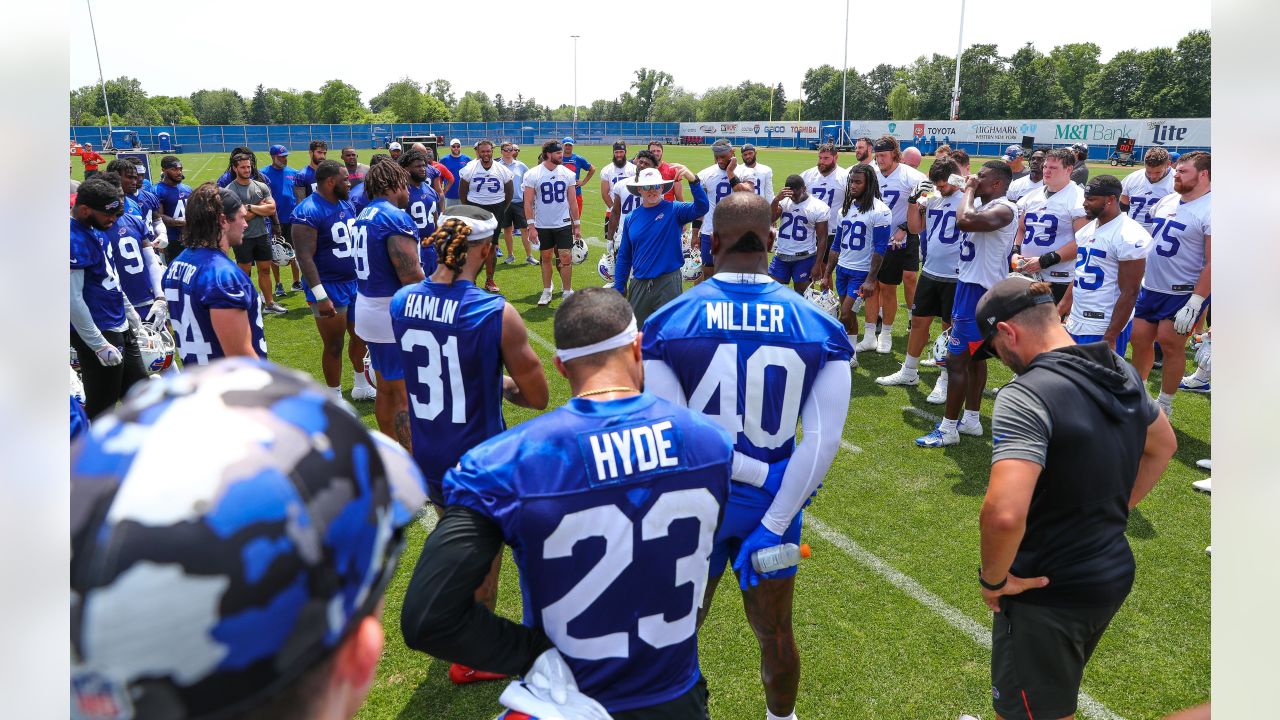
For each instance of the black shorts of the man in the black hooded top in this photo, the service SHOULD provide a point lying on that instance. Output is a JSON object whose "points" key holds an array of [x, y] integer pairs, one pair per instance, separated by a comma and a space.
{"points": [[1039, 657]]}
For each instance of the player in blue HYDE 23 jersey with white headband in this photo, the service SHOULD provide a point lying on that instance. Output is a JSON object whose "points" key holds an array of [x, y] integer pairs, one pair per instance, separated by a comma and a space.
{"points": [[638, 479]]}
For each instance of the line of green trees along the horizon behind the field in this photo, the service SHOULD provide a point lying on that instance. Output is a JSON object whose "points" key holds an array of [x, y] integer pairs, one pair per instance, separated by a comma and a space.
{"points": [[1068, 83]]}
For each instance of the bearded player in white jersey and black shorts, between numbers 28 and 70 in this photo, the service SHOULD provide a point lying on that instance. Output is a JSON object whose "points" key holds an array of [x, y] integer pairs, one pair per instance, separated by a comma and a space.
{"points": [[903, 261]]}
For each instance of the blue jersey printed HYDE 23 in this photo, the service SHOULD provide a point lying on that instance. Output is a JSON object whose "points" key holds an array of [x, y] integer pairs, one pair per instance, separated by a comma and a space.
{"points": [[610, 509]]}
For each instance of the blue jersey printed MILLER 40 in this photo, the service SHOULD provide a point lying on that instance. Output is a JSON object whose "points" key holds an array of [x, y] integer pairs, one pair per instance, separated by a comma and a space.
{"points": [[747, 356]]}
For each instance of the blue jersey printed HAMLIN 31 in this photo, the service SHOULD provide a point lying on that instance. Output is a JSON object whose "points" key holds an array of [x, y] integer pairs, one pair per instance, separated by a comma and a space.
{"points": [[451, 347]]}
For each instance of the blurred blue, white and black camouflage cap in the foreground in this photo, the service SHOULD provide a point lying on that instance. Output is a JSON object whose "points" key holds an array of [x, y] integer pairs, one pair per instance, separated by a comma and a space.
{"points": [[230, 526]]}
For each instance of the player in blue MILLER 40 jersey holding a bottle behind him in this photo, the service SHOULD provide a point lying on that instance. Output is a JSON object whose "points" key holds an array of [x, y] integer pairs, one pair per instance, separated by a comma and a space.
{"points": [[757, 358]]}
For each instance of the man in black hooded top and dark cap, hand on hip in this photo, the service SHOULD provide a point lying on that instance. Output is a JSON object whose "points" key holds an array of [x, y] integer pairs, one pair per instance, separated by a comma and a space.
{"points": [[1077, 444]]}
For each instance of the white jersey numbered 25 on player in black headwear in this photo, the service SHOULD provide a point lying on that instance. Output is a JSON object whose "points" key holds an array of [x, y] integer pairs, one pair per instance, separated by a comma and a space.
{"points": [[1100, 252]]}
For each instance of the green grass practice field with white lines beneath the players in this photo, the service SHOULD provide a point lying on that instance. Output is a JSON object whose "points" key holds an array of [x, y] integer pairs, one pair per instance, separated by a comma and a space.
{"points": [[888, 614]]}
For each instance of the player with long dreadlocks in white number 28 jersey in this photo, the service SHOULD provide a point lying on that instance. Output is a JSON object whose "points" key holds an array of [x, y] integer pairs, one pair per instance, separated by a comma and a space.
{"points": [[862, 240]]}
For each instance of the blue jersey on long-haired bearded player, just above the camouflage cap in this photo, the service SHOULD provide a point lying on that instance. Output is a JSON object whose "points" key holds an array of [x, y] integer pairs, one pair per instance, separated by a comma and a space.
{"points": [[202, 280]]}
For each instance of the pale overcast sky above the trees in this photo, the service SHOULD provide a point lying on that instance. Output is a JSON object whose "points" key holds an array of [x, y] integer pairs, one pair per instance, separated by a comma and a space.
{"points": [[177, 47]]}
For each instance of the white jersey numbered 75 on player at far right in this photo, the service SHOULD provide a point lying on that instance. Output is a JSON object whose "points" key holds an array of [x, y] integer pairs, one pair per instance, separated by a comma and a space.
{"points": [[1180, 231]]}
